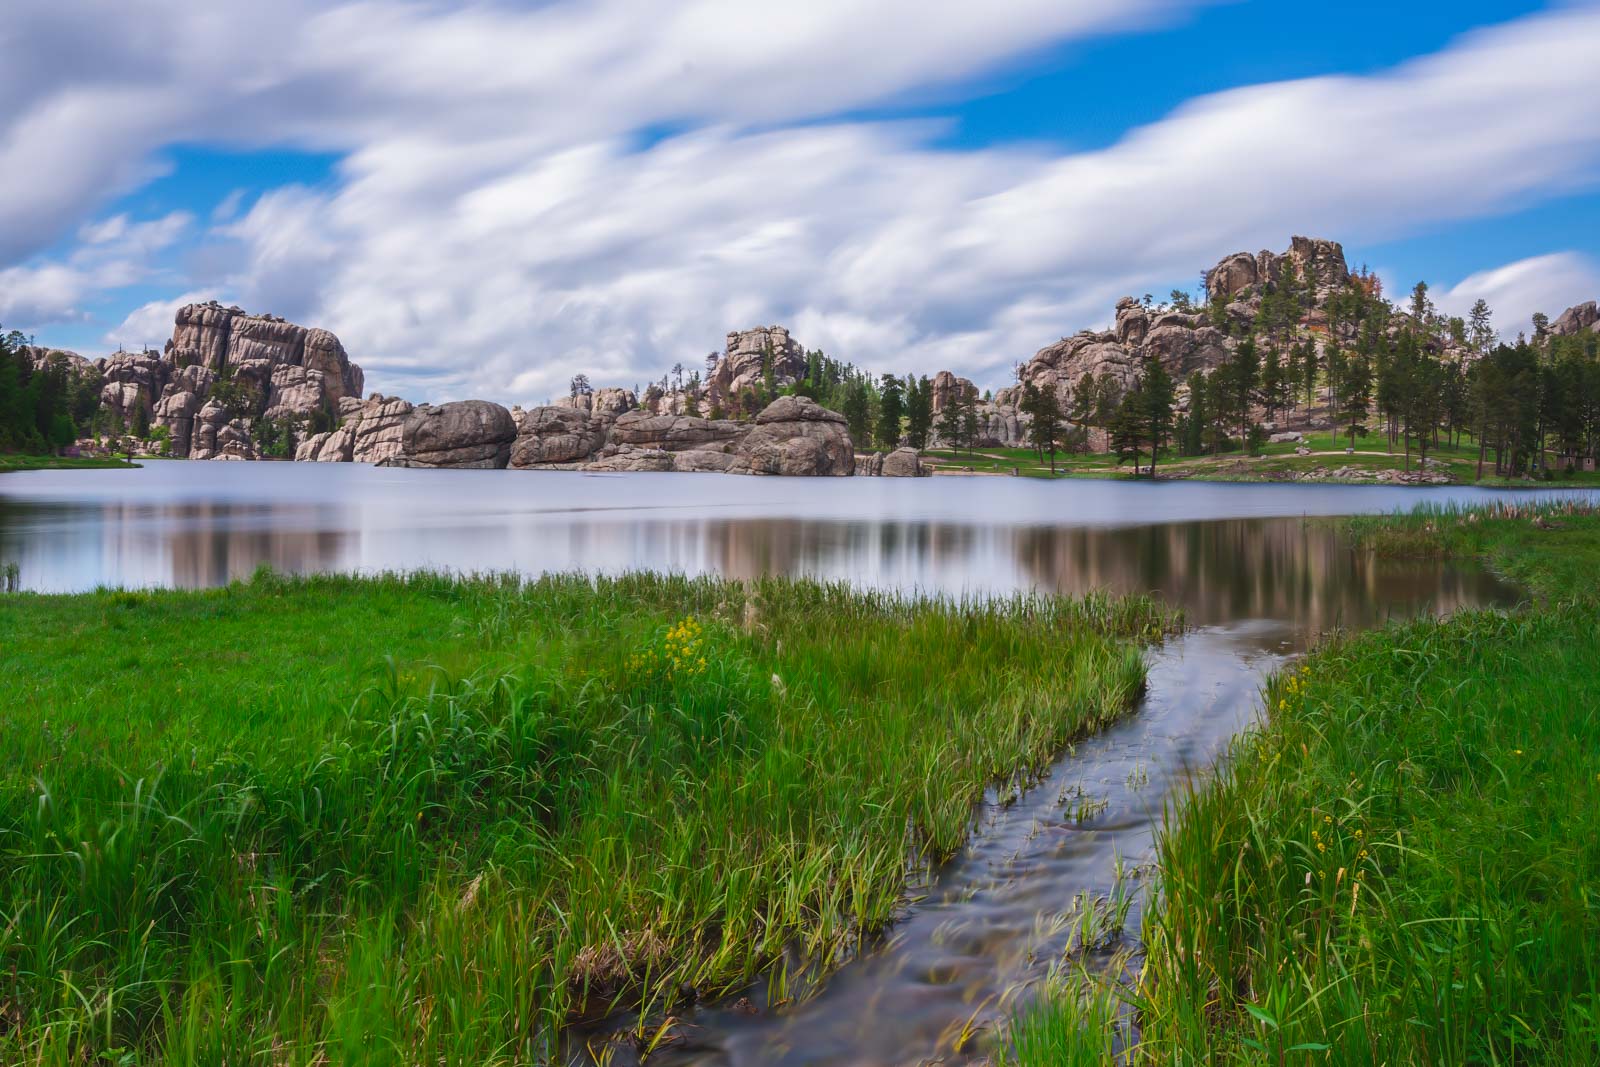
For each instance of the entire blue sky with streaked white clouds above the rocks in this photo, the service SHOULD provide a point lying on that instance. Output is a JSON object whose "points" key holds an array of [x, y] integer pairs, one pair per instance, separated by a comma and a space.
{"points": [[486, 199]]}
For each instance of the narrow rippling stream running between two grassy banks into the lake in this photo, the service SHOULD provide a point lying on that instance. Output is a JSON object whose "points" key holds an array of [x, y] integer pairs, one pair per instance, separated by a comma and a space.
{"points": [[991, 921]]}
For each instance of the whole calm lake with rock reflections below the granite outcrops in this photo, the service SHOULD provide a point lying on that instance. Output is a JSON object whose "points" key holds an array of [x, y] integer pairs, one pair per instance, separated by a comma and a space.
{"points": [[1222, 551]]}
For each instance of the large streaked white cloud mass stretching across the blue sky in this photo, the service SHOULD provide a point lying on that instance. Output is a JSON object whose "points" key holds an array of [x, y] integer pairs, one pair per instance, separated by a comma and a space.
{"points": [[495, 228]]}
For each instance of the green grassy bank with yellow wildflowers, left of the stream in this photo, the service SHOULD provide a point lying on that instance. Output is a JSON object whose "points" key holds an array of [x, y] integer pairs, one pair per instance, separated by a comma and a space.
{"points": [[399, 821]]}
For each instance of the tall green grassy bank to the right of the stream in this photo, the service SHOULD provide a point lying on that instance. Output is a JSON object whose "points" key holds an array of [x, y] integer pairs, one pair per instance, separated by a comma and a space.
{"points": [[1401, 865]]}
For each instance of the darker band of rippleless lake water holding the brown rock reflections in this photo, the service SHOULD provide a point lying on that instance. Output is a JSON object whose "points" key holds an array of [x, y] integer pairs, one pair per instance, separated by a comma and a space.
{"points": [[1294, 570]]}
